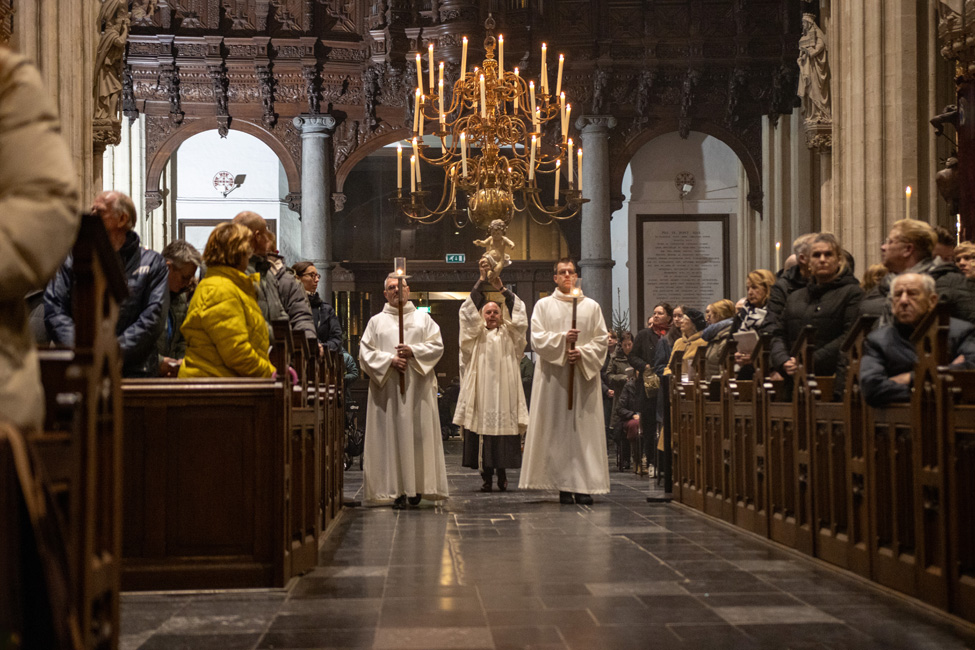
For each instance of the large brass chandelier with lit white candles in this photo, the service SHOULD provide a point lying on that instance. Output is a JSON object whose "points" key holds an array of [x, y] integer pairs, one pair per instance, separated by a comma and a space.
{"points": [[491, 143]]}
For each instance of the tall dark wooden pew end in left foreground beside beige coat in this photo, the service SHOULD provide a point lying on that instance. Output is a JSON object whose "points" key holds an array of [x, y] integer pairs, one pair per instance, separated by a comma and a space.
{"points": [[80, 447]]}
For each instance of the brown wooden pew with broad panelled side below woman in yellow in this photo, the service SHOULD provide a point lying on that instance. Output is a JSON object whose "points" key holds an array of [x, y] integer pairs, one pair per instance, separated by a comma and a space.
{"points": [[223, 476]]}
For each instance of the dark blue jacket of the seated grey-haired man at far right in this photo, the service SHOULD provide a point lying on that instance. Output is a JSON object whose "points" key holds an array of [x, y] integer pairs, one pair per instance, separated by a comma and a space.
{"points": [[888, 352]]}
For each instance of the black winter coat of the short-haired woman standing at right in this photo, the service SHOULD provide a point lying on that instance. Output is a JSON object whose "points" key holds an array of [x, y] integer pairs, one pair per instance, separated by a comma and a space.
{"points": [[832, 308]]}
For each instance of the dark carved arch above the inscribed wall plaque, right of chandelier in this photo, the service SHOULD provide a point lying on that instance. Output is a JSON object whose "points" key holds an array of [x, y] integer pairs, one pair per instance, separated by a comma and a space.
{"points": [[750, 160]]}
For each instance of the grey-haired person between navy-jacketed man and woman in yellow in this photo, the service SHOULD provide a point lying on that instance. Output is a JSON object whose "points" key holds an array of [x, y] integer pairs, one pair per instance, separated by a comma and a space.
{"points": [[182, 260]]}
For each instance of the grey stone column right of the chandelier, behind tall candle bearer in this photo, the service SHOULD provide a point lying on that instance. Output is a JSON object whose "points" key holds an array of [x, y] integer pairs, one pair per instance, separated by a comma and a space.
{"points": [[596, 254]]}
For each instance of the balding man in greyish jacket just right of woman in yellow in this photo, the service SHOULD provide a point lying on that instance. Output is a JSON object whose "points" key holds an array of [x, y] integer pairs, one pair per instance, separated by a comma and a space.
{"points": [[278, 292]]}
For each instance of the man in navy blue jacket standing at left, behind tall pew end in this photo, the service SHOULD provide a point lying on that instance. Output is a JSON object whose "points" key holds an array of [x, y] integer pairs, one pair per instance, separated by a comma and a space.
{"points": [[142, 315]]}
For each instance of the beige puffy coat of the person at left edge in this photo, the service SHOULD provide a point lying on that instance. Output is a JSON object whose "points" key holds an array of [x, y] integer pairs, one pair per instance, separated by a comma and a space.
{"points": [[38, 224]]}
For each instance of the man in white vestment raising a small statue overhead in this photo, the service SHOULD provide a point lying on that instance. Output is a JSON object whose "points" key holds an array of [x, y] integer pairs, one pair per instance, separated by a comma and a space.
{"points": [[491, 406]]}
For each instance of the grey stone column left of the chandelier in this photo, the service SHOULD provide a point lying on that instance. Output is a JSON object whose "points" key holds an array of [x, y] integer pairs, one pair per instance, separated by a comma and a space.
{"points": [[316, 193]]}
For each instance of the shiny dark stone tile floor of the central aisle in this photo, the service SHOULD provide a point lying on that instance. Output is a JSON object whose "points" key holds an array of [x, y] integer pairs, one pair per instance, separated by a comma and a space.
{"points": [[518, 570]]}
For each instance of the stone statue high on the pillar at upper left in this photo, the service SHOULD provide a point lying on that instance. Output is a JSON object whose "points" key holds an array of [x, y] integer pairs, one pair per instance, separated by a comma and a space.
{"points": [[113, 19]]}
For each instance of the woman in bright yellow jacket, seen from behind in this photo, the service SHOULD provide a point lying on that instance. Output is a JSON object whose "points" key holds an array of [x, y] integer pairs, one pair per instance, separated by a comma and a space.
{"points": [[226, 335]]}
